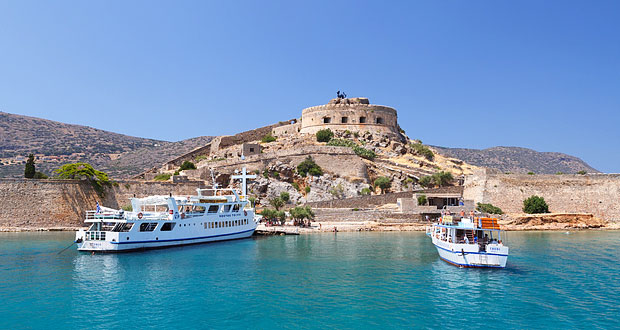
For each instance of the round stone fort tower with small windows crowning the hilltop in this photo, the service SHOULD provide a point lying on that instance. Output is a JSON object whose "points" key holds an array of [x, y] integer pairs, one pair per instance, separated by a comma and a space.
{"points": [[353, 114]]}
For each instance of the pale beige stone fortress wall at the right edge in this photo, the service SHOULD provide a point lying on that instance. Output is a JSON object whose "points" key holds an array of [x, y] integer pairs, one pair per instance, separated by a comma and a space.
{"points": [[598, 194]]}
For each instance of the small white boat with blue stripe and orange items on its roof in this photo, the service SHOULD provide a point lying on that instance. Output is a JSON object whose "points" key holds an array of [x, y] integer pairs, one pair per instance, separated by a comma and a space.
{"points": [[469, 242]]}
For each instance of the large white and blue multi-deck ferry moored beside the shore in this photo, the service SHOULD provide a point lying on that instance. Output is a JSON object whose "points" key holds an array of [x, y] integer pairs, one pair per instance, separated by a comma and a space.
{"points": [[162, 221]]}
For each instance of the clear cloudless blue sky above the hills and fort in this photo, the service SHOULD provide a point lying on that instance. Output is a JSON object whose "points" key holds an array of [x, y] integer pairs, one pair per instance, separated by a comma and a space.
{"points": [[538, 74]]}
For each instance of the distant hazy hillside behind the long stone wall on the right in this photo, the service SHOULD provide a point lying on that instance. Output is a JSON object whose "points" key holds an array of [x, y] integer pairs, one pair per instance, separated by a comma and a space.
{"points": [[519, 160]]}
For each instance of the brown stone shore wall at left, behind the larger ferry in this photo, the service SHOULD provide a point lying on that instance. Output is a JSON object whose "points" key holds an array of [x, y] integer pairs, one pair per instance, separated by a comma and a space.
{"points": [[63, 203]]}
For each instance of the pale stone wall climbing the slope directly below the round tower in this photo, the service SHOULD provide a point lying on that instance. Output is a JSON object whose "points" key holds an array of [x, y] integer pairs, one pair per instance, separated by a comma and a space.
{"points": [[339, 160]]}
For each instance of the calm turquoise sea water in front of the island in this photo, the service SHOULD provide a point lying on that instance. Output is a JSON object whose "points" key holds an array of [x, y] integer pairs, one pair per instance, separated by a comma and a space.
{"points": [[348, 280]]}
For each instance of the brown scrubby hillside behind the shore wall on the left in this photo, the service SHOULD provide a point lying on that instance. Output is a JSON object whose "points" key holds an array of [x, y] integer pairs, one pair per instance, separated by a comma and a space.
{"points": [[54, 143]]}
